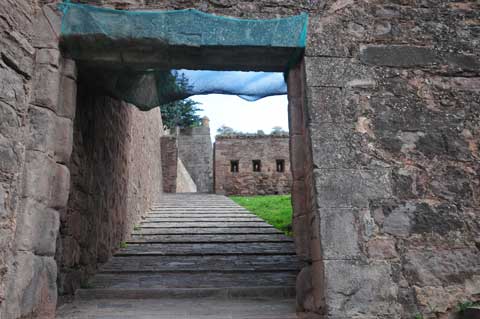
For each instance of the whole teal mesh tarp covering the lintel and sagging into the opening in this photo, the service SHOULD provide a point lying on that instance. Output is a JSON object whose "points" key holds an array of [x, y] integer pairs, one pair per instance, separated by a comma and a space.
{"points": [[149, 86]]}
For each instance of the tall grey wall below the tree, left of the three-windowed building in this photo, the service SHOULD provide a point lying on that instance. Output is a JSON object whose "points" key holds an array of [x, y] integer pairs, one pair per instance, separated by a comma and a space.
{"points": [[196, 152]]}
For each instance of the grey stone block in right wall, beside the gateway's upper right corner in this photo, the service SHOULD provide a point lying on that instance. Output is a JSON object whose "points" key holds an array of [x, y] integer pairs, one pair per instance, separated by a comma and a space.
{"points": [[335, 72]]}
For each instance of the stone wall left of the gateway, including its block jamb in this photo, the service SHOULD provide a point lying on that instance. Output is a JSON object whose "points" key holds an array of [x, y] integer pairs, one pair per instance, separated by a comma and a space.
{"points": [[35, 144]]}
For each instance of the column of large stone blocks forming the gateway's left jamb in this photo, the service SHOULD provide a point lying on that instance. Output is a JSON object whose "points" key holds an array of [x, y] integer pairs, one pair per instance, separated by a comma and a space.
{"points": [[46, 178]]}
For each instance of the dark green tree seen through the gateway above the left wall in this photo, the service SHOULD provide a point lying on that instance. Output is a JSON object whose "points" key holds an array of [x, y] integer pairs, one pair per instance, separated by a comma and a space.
{"points": [[180, 112]]}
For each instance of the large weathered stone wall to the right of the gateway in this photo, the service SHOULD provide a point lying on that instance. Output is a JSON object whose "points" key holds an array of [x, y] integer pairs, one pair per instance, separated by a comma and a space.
{"points": [[393, 103]]}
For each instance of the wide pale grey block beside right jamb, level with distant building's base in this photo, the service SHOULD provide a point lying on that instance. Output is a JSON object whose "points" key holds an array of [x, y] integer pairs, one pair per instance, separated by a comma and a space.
{"points": [[350, 187]]}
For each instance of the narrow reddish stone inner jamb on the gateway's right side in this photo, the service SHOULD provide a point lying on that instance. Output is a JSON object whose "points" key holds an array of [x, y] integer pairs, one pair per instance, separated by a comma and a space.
{"points": [[309, 287]]}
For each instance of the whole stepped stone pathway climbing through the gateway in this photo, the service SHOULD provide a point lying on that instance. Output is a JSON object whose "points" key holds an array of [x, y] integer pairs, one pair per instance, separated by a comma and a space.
{"points": [[195, 256]]}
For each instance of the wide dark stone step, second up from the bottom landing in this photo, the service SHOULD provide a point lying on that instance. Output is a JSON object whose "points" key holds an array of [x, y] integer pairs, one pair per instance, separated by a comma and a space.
{"points": [[193, 280]]}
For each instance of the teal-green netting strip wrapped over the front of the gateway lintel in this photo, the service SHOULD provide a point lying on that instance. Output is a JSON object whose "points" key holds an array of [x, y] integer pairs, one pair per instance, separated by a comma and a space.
{"points": [[184, 27]]}
